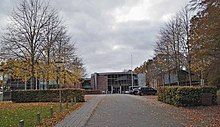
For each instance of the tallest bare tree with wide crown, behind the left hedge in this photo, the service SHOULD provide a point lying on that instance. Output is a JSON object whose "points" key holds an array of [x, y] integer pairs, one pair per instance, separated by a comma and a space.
{"points": [[26, 32]]}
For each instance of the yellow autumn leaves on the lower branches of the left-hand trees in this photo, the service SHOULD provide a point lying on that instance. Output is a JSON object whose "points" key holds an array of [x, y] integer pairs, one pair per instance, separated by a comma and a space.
{"points": [[21, 70]]}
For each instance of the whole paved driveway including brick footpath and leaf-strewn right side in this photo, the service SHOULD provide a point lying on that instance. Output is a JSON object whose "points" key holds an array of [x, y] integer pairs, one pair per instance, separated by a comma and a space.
{"points": [[139, 111]]}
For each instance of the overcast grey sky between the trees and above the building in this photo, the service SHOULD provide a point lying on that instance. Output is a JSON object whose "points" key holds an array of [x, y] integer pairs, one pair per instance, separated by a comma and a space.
{"points": [[107, 32]]}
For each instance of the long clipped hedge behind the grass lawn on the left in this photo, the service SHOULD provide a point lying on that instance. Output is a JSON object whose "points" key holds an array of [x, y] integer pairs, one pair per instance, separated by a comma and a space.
{"points": [[52, 95]]}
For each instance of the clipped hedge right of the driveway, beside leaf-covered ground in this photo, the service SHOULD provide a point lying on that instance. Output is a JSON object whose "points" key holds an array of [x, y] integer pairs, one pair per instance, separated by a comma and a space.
{"points": [[185, 96]]}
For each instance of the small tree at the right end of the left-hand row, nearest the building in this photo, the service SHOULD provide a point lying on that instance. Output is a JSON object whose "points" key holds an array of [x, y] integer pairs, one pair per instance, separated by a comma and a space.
{"points": [[65, 52]]}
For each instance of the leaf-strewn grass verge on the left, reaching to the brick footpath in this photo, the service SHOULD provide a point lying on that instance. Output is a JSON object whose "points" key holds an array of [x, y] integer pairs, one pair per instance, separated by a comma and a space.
{"points": [[12, 113]]}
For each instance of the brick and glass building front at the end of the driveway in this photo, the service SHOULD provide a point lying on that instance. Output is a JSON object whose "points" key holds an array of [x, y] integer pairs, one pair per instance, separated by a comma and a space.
{"points": [[113, 82]]}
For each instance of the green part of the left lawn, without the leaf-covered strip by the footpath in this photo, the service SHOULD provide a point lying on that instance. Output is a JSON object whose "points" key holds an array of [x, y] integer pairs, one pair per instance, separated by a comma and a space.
{"points": [[12, 113]]}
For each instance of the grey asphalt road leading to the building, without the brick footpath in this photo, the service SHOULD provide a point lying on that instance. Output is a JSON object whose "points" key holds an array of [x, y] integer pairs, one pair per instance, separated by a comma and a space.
{"points": [[130, 111]]}
